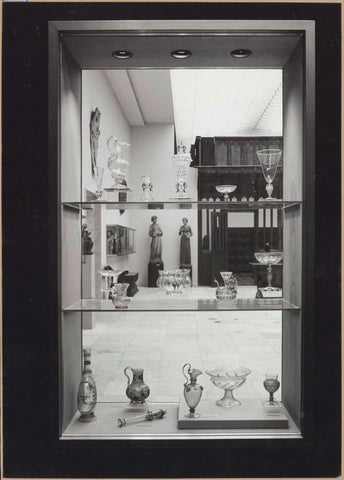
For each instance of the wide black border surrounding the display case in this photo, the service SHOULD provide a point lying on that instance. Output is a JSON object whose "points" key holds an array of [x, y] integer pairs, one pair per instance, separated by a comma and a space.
{"points": [[30, 332]]}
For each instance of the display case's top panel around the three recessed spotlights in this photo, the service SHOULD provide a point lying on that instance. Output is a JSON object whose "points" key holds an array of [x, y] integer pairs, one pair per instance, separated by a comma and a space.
{"points": [[268, 51]]}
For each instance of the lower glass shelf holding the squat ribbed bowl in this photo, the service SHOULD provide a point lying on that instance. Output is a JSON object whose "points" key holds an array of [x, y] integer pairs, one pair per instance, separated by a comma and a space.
{"points": [[176, 303]]}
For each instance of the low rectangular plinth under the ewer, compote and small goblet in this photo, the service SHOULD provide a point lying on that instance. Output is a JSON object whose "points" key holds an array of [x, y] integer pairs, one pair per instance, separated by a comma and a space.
{"points": [[249, 415]]}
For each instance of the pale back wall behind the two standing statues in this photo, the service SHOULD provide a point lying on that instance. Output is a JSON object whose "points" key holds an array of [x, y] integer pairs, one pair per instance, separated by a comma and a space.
{"points": [[151, 154]]}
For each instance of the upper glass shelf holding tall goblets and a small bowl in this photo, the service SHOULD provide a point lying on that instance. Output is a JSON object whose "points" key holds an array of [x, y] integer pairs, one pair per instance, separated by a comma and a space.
{"points": [[187, 204]]}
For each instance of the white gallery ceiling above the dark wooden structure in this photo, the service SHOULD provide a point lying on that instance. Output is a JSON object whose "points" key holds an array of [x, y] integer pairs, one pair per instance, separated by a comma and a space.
{"points": [[214, 102]]}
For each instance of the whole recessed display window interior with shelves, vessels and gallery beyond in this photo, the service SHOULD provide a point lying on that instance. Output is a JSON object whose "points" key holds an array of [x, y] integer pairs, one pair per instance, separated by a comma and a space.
{"points": [[181, 236]]}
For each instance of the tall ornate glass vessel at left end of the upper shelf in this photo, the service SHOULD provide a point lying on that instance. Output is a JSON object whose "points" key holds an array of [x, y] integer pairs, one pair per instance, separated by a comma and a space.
{"points": [[118, 166]]}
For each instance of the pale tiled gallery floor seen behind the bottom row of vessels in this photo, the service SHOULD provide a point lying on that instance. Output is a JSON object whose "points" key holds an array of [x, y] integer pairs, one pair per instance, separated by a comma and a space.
{"points": [[162, 342]]}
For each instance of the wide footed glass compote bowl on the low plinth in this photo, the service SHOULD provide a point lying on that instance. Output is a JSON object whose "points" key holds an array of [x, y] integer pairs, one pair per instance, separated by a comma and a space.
{"points": [[228, 379]]}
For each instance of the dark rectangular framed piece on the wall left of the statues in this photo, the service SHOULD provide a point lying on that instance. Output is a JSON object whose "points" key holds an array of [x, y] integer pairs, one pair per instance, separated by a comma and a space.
{"points": [[120, 240]]}
